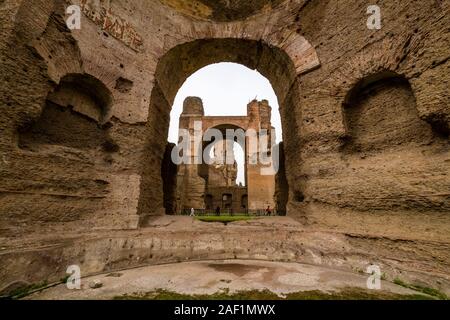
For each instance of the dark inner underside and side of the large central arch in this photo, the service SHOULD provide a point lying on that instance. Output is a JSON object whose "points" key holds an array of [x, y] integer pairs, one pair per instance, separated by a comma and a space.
{"points": [[181, 62]]}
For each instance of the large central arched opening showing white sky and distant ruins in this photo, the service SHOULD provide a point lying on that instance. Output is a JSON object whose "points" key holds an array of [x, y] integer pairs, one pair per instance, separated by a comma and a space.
{"points": [[224, 97]]}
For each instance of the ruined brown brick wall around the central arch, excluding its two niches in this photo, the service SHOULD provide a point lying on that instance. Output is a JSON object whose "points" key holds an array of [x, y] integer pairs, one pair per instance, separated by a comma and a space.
{"points": [[311, 98]]}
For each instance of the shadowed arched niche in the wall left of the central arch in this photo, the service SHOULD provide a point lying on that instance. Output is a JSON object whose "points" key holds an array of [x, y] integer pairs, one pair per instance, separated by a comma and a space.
{"points": [[75, 115]]}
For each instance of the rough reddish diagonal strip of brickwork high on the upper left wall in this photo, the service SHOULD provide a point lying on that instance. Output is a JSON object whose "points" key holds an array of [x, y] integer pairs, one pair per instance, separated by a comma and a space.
{"points": [[99, 11]]}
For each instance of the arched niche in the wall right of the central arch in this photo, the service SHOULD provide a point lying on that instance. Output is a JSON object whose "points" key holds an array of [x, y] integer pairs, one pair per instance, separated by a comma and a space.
{"points": [[380, 112]]}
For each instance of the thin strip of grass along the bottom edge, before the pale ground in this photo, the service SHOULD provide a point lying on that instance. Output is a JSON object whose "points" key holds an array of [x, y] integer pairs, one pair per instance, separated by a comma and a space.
{"points": [[346, 294]]}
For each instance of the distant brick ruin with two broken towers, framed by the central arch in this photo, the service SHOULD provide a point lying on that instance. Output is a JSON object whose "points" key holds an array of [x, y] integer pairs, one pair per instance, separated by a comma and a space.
{"points": [[210, 186]]}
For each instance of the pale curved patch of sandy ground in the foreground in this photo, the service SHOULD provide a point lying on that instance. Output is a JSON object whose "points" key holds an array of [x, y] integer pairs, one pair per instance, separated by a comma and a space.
{"points": [[209, 277]]}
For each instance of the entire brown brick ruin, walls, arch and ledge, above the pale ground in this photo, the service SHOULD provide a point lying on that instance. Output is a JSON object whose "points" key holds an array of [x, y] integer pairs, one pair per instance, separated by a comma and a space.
{"points": [[84, 118]]}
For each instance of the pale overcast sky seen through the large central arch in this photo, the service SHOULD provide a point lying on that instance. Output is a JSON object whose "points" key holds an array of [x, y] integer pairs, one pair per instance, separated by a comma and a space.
{"points": [[226, 89]]}
